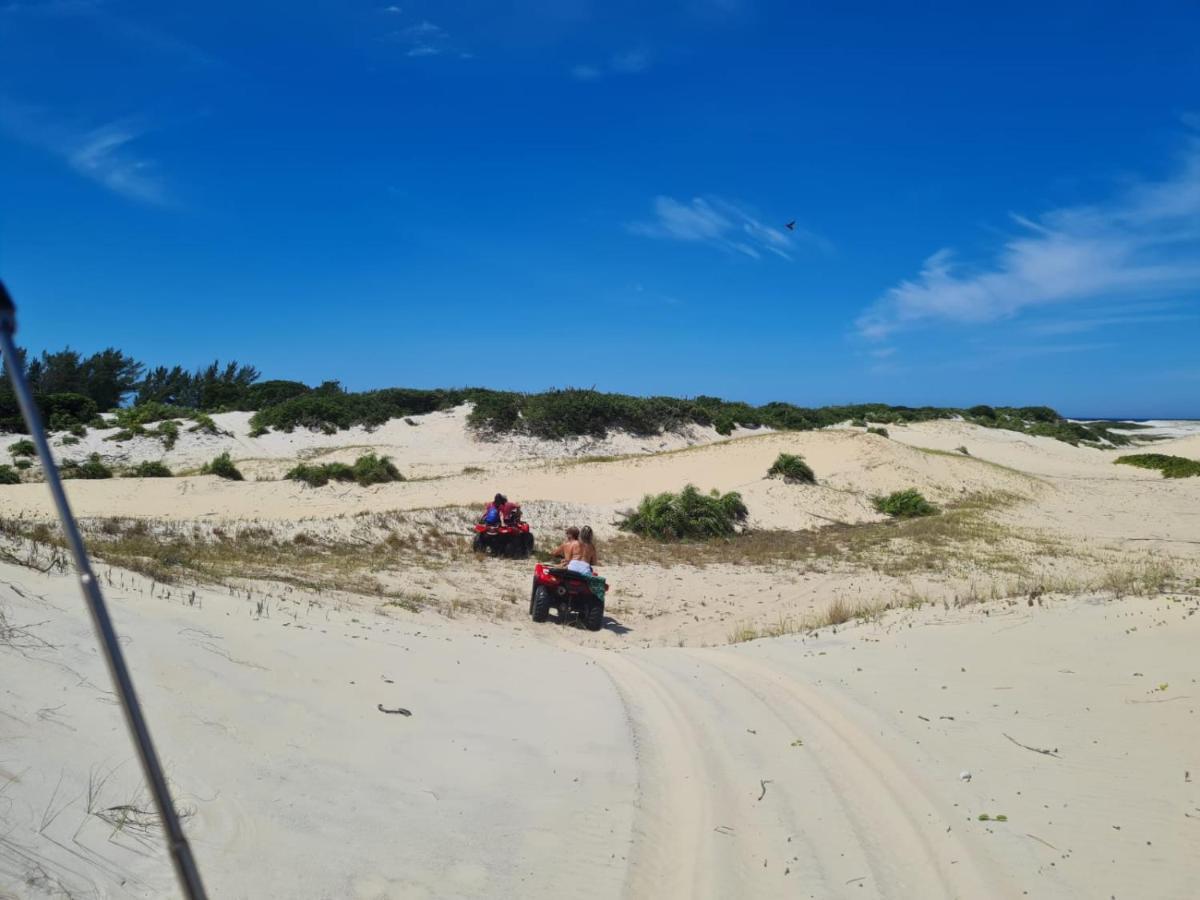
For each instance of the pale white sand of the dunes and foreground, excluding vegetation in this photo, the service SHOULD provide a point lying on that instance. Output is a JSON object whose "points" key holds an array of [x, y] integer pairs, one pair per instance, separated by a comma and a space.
{"points": [[543, 761]]}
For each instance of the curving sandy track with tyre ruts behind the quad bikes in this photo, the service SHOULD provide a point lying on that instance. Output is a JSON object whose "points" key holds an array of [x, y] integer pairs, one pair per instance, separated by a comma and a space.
{"points": [[731, 806]]}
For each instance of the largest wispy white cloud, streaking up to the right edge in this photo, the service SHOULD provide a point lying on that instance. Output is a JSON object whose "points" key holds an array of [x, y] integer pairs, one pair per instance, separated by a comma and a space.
{"points": [[1143, 245]]}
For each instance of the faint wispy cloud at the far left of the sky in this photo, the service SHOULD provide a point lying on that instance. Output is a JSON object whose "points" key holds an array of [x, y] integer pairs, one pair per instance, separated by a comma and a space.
{"points": [[106, 155]]}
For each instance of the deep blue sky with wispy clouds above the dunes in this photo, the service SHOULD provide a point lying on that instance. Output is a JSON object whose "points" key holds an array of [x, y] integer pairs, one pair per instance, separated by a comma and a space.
{"points": [[992, 206]]}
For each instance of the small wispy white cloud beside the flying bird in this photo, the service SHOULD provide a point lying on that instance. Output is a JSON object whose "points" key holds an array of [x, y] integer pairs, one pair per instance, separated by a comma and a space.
{"points": [[718, 224]]}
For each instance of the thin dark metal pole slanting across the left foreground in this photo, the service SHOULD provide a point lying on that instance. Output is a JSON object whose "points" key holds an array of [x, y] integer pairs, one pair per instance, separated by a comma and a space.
{"points": [[177, 843]]}
